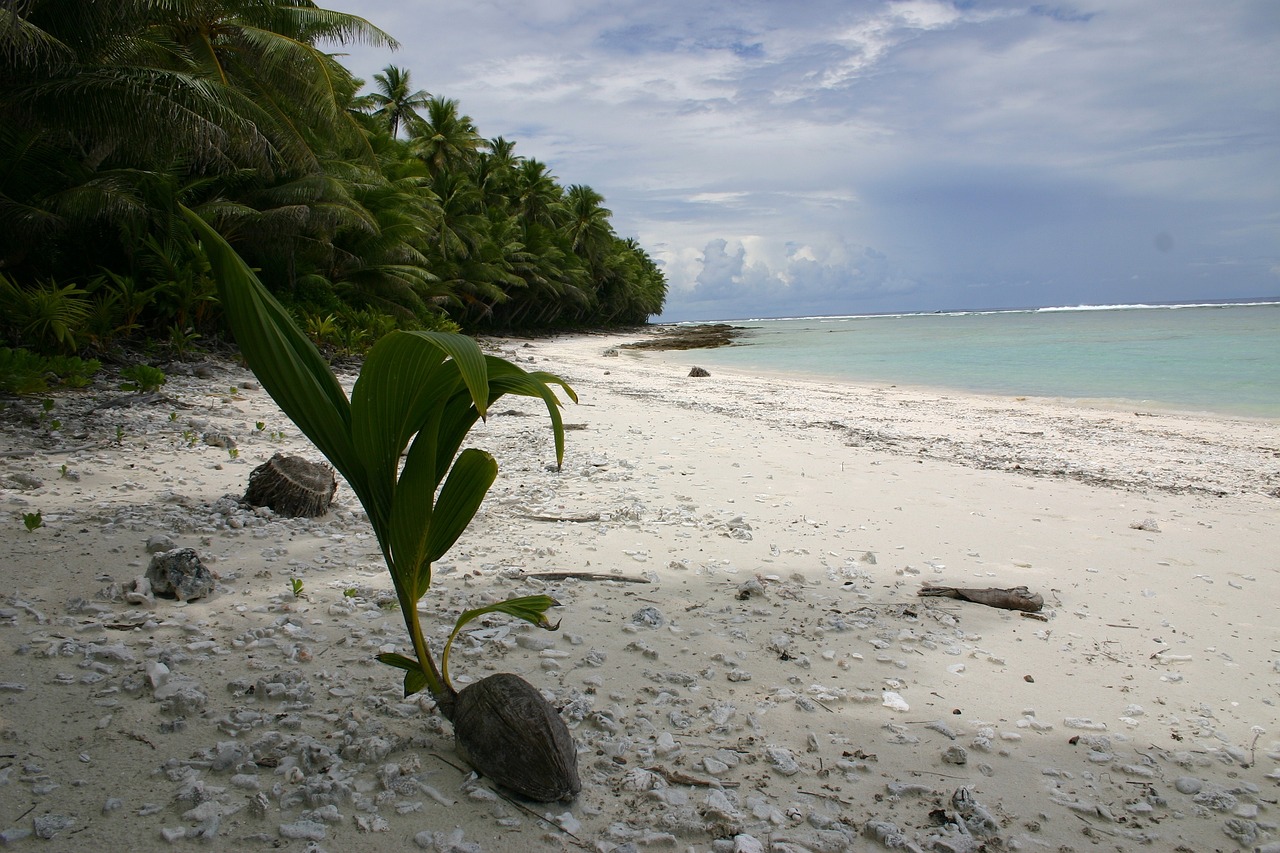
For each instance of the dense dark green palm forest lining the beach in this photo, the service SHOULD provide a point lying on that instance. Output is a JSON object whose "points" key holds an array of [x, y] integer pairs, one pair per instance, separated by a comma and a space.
{"points": [[363, 208]]}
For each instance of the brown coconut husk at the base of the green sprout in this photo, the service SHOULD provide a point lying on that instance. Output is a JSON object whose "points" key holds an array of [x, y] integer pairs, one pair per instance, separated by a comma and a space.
{"points": [[505, 729]]}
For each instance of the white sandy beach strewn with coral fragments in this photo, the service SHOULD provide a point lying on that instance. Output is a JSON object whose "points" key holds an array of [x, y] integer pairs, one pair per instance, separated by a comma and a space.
{"points": [[746, 665]]}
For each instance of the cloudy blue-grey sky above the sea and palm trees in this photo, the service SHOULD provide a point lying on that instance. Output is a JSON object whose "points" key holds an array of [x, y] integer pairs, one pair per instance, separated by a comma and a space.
{"points": [[845, 157]]}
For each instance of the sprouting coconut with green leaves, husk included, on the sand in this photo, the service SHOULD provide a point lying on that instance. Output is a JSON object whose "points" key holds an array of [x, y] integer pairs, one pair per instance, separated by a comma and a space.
{"points": [[419, 393]]}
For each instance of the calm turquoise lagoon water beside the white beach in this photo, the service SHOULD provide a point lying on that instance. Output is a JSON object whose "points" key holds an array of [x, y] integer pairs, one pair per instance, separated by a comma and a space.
{"points": [[1223, 359]]}
